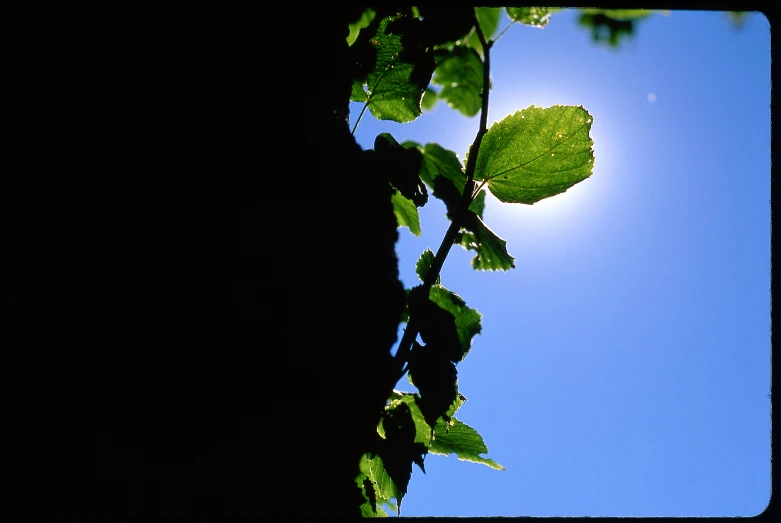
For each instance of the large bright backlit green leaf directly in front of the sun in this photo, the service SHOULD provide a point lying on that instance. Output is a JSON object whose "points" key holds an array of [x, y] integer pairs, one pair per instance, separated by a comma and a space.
{"points": [[536, 153]]}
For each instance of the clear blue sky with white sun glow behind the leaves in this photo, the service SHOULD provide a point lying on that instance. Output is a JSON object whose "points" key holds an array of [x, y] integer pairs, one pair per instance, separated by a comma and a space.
{"points": [[624, 364]]}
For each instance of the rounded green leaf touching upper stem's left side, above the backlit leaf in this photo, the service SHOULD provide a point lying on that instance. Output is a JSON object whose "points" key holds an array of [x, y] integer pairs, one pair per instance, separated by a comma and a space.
{"points": [[460, 73]]}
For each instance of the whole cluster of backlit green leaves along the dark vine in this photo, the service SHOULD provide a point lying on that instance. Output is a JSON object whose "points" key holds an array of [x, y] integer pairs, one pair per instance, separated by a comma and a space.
{"points": [[406, 60]]}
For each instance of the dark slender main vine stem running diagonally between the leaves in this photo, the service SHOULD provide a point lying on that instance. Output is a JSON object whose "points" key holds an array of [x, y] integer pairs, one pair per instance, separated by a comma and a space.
{"points": [[413, 325]]}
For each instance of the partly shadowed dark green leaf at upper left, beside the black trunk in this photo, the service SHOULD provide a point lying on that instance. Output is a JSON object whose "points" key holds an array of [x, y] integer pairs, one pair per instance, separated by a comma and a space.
{"points": [[396, 85]]}
